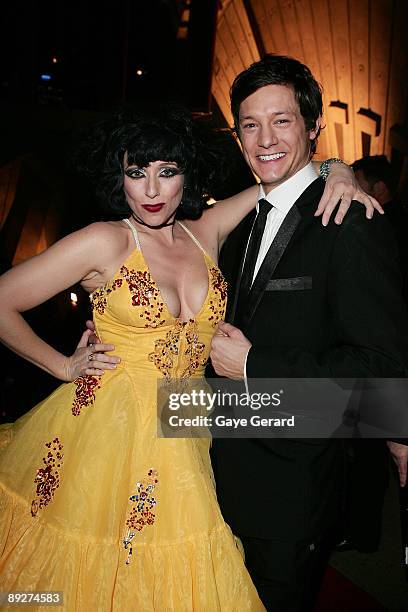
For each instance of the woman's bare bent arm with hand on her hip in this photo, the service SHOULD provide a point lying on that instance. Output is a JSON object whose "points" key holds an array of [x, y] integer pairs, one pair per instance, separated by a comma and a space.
{"points": [[35, 281]]}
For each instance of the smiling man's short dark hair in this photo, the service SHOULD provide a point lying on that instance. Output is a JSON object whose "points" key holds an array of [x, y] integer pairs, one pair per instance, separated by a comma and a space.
{"points": [[280, 70]]}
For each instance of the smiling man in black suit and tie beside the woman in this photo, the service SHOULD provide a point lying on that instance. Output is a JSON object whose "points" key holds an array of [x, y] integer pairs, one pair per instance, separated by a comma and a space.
{"points": [[310, 302]]}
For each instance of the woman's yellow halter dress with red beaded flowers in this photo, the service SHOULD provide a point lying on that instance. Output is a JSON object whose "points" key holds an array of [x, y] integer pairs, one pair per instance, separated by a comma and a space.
{"points": [[92, 502]]}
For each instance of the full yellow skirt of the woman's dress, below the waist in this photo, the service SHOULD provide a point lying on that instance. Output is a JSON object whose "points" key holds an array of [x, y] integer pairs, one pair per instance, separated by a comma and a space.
{"points": [[93, 504]]}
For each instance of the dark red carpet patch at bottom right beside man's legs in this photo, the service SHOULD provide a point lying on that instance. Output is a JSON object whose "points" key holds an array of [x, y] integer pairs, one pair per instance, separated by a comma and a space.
{"points": [[339, 594]]}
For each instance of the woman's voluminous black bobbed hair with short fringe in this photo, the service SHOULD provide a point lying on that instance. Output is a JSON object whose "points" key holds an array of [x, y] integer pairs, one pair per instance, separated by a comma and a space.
{"points": [[148, 134]]}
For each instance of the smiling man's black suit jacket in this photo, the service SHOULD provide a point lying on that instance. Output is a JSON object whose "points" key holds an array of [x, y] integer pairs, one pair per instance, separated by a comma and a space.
{"points": [[326, 303]]}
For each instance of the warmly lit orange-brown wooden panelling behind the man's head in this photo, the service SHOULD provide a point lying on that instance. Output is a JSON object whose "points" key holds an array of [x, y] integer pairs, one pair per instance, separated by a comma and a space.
{"points": [[356, 50]]}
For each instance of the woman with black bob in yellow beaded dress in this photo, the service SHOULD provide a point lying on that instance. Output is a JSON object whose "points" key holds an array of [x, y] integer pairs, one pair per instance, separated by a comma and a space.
{"points": [[93, 503]]}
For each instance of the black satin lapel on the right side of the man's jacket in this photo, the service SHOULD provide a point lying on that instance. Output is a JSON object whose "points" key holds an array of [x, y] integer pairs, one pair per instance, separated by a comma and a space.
{"points": [[279, 245]]}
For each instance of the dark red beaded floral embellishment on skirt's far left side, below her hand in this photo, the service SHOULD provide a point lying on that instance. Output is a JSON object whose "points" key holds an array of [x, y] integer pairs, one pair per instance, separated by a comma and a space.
{"points": [[47, 479]]}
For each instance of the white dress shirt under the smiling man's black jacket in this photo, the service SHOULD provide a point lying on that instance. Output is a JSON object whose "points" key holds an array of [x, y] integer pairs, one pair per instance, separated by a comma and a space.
{"points": [[282, 199]]}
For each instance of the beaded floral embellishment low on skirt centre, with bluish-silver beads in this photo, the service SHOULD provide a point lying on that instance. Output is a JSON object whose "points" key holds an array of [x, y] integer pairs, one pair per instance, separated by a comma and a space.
{"points": [[141, 513]]}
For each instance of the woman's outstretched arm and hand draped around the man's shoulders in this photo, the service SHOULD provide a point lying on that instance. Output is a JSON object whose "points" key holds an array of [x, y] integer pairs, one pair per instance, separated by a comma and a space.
{"points": [[341, 186]]}
